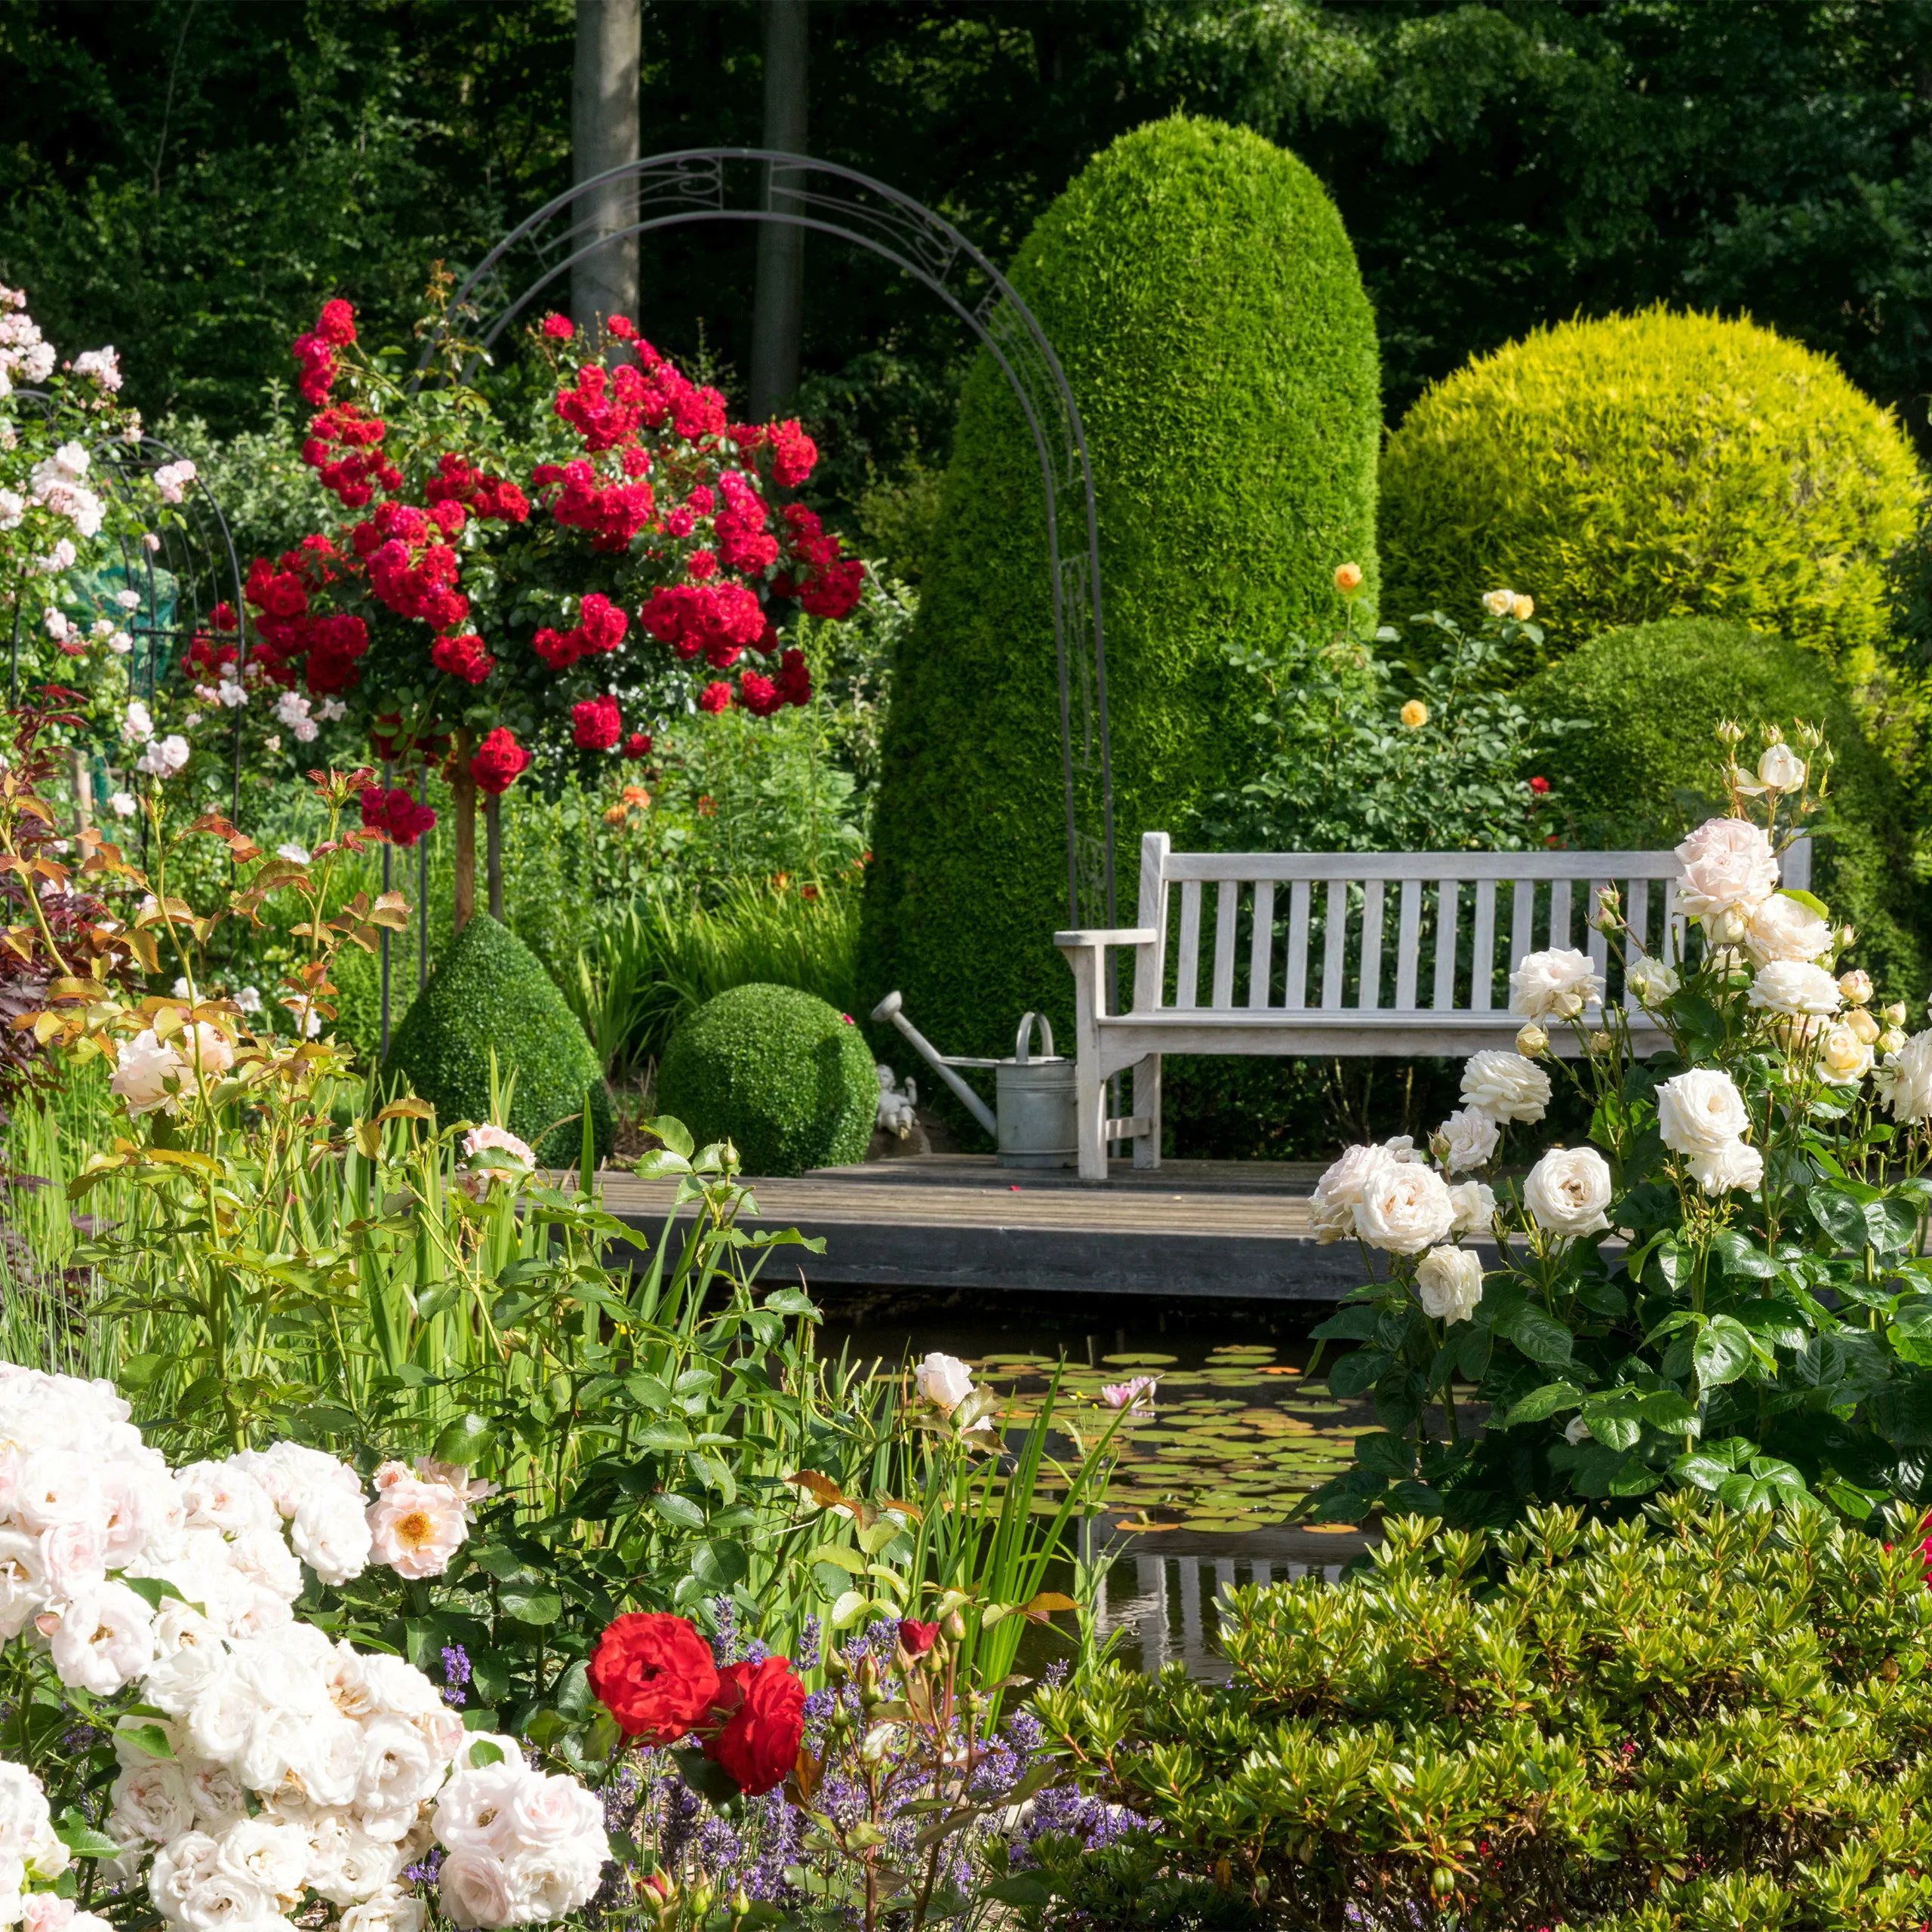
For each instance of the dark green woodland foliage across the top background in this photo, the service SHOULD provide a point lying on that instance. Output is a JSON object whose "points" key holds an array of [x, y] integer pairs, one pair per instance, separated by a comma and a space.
{"points": [[188, 179]]}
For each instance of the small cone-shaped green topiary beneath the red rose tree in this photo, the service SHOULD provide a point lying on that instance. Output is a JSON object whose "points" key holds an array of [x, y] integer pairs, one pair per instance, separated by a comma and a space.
{"points": [[492, 992]]}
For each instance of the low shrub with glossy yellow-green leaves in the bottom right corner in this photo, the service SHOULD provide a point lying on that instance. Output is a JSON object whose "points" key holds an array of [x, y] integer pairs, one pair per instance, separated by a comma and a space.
{"points": [[1690, 1722]]}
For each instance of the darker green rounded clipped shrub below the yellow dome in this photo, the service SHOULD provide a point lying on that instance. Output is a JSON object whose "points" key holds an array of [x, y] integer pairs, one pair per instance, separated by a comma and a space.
{"points": [[1651, 766]]}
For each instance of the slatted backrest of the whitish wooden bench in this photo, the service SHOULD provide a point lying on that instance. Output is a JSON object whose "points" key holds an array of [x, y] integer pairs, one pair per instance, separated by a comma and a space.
{"points": [[1548, 895]]}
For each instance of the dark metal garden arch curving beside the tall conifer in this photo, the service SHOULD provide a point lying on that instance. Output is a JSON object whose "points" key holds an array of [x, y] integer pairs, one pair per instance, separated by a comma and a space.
{"points": [[727, 185]]}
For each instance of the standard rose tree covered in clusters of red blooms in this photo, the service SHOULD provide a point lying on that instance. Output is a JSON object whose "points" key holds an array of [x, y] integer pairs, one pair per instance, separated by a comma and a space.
{"points": [[486, 596]]}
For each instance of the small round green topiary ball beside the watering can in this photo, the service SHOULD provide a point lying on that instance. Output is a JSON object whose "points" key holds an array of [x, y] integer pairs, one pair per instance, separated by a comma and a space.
{"points": [[787, 1079]]}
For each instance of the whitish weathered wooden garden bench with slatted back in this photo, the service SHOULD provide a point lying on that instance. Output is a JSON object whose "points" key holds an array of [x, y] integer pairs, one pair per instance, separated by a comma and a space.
{"points": [[1357, 990]]}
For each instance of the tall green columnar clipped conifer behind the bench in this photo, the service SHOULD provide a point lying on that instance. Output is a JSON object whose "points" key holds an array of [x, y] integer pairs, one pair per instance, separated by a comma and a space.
{"points": [[1207, 306]]}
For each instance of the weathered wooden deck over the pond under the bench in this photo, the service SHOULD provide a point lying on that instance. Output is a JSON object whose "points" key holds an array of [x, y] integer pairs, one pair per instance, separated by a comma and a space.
{"points": [[963, 1222]]}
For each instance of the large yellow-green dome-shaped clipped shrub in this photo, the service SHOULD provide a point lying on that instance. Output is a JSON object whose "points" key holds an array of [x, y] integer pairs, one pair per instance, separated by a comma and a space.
{"points": [[1651, 467]]}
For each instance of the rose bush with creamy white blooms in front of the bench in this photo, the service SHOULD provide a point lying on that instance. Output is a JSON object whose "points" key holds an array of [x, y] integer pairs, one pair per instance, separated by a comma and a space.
{"points": [[1726, 1284]]}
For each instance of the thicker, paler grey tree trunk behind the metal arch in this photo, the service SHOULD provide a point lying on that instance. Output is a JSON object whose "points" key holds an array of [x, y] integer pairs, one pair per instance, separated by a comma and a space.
{"points": [[604, 134]]}
